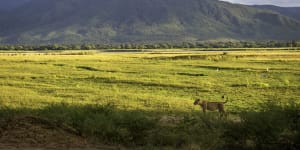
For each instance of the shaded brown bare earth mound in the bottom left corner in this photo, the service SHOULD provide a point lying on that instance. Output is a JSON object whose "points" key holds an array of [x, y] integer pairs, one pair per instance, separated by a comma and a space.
{"points": [[31, 133]]}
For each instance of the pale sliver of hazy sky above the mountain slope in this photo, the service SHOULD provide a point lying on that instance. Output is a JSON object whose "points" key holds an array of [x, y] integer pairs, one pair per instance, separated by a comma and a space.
{"points": [[285, 3]]}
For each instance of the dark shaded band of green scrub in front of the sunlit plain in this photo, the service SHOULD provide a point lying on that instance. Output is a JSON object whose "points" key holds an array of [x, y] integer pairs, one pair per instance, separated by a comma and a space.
{"points": [[275, 127]]}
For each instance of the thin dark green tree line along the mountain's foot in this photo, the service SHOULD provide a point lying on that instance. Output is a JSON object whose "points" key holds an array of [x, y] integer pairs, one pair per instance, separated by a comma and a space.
{"points": [[239, 44]]}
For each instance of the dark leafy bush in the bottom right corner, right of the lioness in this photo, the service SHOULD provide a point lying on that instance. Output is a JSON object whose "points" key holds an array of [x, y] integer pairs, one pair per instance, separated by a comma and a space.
{"points": [[275, 127]]}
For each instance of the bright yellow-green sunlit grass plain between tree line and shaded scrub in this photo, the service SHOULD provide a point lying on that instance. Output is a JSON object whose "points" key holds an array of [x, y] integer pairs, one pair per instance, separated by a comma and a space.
{"points": [[150, 81]]}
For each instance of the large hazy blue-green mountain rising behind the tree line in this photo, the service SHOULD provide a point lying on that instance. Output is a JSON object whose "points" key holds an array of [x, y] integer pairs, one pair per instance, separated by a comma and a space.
{"points": [[142, 21]]}
